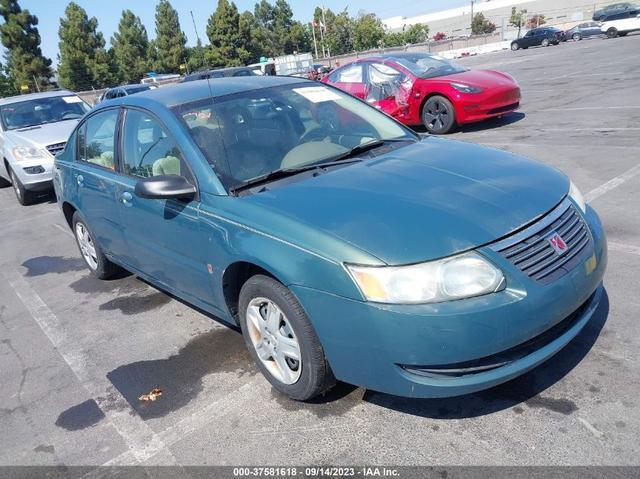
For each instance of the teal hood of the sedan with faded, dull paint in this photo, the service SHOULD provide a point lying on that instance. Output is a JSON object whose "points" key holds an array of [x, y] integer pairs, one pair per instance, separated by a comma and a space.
{"points": [[420, 202]]}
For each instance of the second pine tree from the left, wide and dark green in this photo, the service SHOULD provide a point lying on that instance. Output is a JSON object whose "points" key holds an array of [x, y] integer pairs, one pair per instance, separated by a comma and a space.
{"points": [[83, 61]]}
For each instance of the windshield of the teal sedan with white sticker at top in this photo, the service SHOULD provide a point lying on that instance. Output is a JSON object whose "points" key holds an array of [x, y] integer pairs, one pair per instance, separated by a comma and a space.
{"points": [[253, 133]]}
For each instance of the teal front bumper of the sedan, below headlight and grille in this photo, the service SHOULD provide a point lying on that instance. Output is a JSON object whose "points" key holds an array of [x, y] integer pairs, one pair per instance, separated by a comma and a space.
{"points": [[371, 345]]}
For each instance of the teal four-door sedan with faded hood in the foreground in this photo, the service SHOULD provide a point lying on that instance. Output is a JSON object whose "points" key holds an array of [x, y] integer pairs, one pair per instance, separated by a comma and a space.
{"points": [[343, 245]]}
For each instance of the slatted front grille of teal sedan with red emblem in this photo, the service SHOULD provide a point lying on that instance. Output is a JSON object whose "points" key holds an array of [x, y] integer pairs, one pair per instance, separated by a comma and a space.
{"points": [[534, 255]]}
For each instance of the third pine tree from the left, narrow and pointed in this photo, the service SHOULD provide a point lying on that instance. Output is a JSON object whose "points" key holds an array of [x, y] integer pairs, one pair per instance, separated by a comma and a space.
{"points": [[130, 48]]}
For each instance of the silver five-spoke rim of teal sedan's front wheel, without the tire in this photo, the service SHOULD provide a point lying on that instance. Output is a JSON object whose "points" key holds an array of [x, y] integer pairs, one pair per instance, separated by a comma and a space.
{"points": [[274, 340]]}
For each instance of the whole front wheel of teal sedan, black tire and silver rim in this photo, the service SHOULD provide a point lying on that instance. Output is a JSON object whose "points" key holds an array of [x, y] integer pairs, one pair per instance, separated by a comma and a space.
{"points": [[300, 379]]}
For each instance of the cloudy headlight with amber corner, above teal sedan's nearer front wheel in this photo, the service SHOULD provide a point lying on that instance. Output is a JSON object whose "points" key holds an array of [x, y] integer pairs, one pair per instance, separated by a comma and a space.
{"points": [[457, 277]]}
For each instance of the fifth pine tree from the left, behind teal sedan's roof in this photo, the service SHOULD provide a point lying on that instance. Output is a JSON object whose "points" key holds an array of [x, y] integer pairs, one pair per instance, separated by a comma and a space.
{"points": [[223, 30]]}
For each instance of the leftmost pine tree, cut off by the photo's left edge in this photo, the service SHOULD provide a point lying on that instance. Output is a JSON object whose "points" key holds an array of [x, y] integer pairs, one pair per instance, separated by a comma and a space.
{"points": [[26, 65]]}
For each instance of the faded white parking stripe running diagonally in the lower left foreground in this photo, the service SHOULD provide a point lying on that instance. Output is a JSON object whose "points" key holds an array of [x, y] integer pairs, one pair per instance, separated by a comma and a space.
{"points": [[139, 438]]}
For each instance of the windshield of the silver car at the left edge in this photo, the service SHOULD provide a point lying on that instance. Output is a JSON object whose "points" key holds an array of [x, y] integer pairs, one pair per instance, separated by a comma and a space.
{"points": [[42, 110]]}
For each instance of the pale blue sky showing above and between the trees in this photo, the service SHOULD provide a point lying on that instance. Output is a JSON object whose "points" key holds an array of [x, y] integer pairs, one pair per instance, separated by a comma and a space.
{"points": [[108, 13]]}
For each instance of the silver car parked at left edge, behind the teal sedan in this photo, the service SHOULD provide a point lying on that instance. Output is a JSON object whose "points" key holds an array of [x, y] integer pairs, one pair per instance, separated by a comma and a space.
{"points": [[33, 128]]}
